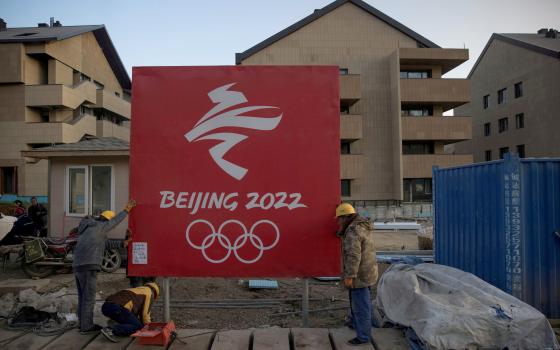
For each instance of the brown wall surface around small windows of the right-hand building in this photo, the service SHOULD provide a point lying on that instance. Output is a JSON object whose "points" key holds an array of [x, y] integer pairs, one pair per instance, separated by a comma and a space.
{"points": [[502, 66]]}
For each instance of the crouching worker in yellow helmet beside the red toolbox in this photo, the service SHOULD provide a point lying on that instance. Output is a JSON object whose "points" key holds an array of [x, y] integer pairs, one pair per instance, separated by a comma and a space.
{"points": [[130, 308]]}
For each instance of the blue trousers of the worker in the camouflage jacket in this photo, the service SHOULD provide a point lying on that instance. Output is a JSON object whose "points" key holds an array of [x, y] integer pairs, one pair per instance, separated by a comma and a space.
{"points": [[360, 306]]}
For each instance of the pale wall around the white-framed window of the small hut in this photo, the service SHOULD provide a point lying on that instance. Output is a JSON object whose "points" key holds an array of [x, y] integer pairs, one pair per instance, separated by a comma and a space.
{"points": [[60, 223]]}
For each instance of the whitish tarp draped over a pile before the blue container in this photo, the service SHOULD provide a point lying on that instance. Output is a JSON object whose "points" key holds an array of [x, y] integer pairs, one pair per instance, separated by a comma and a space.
{"points": [[452, 309]]}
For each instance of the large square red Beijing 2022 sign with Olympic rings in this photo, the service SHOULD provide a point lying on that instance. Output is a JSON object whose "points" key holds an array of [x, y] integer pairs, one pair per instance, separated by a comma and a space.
{"points": [[235, 171]]}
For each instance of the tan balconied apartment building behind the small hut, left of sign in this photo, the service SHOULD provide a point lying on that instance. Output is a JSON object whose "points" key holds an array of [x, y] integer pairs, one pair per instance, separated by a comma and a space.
{"points": [[57, 85]]}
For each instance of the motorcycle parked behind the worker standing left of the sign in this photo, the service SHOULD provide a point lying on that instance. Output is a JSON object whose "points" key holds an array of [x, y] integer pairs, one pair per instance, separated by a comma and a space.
{"points": [[42, 257]]}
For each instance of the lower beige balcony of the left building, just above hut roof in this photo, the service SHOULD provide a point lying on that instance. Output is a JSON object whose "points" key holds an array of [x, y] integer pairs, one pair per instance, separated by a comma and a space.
{"points": [[59, 132]]}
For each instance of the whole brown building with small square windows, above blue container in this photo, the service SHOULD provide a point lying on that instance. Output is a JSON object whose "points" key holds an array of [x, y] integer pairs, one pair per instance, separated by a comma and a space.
{"points": [[515, 89]]}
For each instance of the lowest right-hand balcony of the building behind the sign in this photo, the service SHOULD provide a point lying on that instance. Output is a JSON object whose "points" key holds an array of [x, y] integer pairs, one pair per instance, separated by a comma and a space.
{"points": [[420, 165]]}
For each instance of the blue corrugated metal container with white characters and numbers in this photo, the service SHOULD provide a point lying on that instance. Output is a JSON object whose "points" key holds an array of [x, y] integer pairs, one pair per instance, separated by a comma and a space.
{"points": [[498, 220]]}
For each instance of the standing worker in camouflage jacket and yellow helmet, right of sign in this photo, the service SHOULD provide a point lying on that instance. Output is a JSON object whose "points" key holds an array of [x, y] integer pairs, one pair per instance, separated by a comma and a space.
{"points": [[360, 268]]}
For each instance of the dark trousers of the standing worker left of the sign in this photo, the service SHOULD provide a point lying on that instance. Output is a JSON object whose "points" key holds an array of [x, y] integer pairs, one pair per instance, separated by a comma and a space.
{"points": [[85, 283]]}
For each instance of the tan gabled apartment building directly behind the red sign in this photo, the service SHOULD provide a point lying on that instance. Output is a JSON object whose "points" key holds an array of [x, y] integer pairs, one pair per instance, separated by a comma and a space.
{"points": [[392, 97]]}
